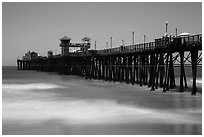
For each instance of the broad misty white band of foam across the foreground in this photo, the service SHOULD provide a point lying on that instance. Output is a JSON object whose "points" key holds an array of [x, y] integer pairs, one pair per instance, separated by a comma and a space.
{"points": [[97, 111]]}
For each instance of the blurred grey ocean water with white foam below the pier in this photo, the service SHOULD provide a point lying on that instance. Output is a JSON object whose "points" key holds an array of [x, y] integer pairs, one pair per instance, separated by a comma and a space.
{"points": [[47, 103]]}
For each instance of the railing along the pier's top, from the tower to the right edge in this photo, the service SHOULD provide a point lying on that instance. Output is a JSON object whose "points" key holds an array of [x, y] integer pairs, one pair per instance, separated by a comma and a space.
{"points": [[193, 40]]}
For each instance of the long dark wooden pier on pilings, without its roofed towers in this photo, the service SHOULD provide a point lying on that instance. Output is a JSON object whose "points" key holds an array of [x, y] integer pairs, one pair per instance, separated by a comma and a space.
{"points": [[150, 64]]}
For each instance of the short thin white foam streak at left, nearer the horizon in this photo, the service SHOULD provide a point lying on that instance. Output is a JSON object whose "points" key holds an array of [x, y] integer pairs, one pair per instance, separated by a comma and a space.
{"points": [[29, 86]]}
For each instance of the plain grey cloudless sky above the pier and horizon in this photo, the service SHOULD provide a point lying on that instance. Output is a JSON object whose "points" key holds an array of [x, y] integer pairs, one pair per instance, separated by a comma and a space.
{"points": [[39, 26]]}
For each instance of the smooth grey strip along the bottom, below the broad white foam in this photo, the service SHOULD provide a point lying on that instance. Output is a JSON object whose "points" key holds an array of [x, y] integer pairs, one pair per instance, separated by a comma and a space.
{"points": [[56, 127]]}
